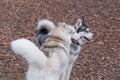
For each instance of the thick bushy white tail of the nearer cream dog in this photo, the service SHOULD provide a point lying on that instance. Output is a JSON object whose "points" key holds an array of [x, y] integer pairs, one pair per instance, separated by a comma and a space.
{"points": [[29, 51]]}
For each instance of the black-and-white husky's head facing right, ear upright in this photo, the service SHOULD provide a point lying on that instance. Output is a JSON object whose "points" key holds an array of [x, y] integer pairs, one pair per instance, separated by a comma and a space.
{"points": [[83, 31]]}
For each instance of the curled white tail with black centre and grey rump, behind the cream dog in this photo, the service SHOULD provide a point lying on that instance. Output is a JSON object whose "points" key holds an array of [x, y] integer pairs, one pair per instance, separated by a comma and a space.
{"points": [[43, 29]]}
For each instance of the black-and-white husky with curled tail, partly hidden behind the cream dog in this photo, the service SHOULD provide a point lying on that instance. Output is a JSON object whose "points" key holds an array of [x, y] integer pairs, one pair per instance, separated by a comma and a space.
{"points": [[84, 35]]}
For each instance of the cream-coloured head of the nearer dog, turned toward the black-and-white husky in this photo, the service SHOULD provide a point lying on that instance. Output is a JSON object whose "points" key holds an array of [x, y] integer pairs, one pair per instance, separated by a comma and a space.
{"points": [[66, 32]]}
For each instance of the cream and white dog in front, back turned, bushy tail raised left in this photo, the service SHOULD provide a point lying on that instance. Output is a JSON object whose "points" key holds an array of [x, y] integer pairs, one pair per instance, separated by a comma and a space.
{"points": [[51, 60]]}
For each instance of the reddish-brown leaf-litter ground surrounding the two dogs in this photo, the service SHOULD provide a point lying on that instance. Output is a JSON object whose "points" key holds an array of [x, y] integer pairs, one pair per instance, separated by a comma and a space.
{"points": [[99, 59]]}
